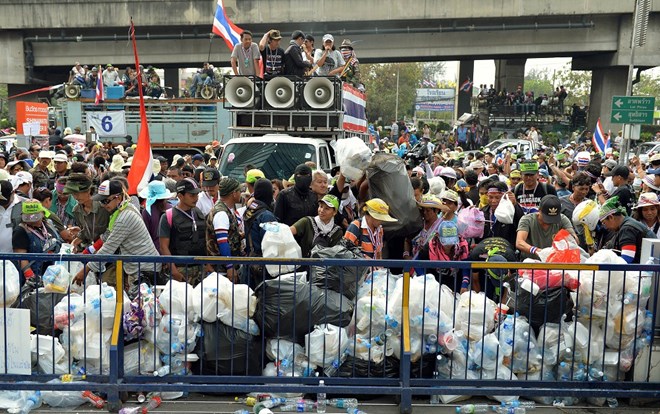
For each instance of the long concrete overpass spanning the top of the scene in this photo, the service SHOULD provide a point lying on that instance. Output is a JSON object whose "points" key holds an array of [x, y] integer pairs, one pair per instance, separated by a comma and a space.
{"points": [[40, 39]]}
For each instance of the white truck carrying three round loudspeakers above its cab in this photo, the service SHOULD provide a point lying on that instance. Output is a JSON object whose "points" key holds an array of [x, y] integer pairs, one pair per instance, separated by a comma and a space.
{"points": [[276, 139]]}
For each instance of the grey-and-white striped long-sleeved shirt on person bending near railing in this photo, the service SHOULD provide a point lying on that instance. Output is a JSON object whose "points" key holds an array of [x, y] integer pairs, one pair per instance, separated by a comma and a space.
{"points": [[131, 237]]}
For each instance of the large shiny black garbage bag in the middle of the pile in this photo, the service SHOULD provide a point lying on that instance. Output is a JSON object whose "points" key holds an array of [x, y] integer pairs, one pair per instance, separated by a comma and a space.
{"points": [[289, 308]]}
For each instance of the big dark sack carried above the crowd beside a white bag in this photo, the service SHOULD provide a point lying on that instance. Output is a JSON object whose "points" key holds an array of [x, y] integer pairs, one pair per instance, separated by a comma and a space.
{"points": [[389, 181]]}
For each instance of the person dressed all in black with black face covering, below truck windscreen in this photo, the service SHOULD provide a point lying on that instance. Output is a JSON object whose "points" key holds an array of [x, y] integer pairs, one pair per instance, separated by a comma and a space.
{"points": [[298, 201]]}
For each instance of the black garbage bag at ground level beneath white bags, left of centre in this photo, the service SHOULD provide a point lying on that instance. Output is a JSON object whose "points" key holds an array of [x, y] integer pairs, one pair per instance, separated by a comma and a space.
{"points": [[228, 351]]}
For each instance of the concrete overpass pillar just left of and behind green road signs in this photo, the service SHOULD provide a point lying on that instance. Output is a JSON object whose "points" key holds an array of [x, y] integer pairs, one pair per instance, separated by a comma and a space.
{"points": [[605, 83]]}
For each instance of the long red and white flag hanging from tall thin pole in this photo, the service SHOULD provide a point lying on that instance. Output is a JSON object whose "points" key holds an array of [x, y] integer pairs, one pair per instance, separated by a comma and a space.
{"points": [[140, 172]]}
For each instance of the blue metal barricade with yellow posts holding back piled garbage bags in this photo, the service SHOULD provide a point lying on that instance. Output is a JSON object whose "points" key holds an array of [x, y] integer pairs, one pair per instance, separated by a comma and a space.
{"points": [[552, 332]]}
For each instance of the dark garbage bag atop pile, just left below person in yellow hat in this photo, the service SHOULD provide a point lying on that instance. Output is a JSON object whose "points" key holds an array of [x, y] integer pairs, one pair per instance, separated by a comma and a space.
{"points": [[342, 279]]}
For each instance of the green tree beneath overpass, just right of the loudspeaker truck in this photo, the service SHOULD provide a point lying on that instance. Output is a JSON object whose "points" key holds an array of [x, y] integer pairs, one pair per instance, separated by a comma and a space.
{"points": [[380, 82]]}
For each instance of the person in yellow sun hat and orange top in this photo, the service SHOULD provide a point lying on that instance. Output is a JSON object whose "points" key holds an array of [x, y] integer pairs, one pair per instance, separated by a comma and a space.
{"points": [[367, 233]]}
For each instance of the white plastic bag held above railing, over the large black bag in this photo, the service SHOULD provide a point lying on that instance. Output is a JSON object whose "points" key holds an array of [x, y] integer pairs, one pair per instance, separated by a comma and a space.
{"points": [[278, 242]]}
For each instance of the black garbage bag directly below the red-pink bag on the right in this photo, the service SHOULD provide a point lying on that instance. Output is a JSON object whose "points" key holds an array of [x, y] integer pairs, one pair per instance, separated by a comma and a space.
{"points": [[547, 306]]}
